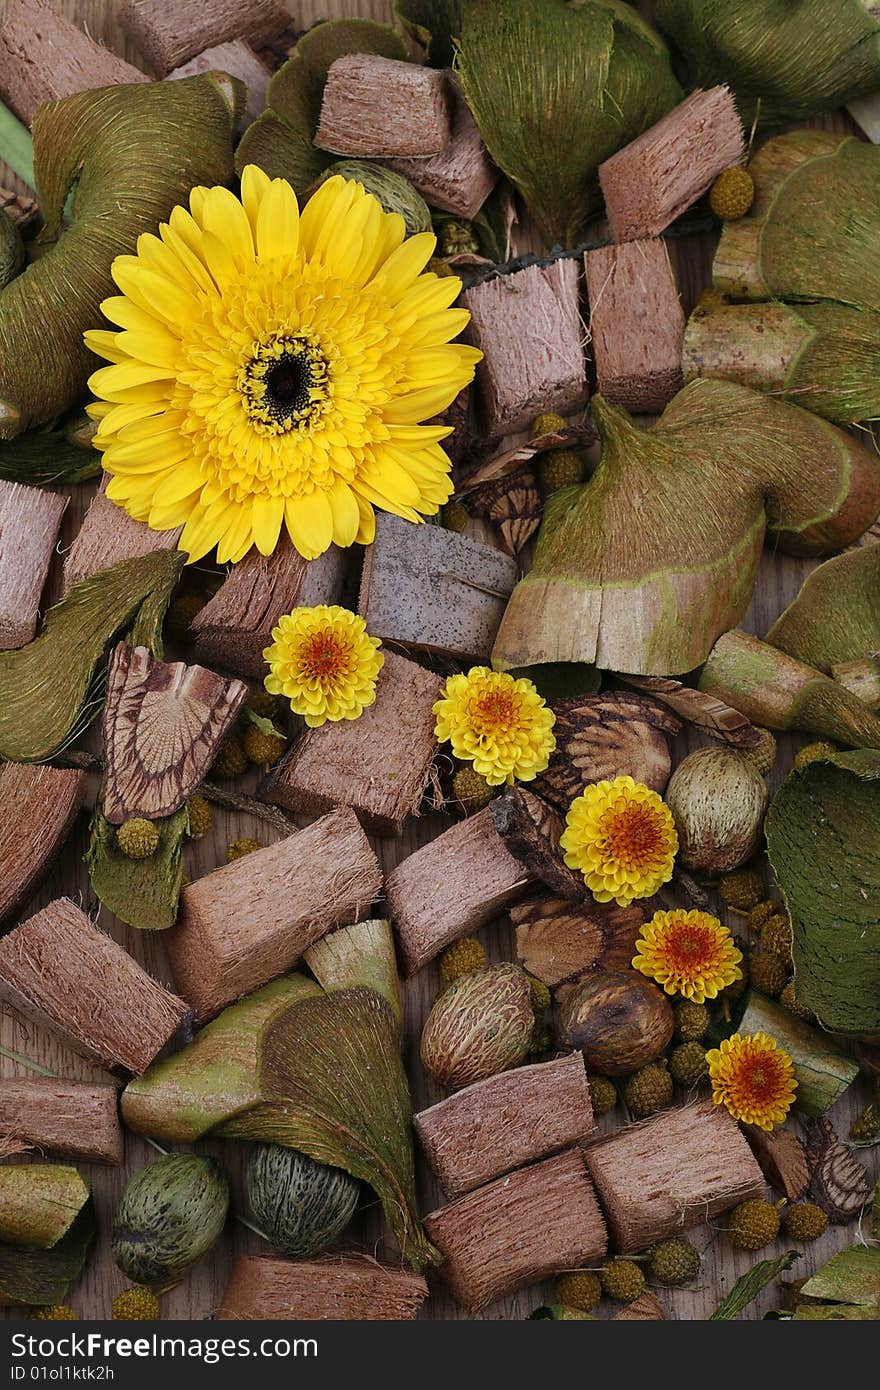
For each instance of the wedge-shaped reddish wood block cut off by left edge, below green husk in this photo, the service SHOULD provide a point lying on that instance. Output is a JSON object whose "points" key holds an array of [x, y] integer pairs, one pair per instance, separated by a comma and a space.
{"points": [[38, 807]]}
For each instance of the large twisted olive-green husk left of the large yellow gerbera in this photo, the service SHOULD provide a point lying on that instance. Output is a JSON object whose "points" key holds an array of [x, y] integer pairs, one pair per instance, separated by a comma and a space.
{"points": [[131, 154]]}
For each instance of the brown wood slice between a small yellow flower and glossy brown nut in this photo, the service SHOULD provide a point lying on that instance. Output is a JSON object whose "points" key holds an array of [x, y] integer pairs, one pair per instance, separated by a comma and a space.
{"points": [[560, 940]]}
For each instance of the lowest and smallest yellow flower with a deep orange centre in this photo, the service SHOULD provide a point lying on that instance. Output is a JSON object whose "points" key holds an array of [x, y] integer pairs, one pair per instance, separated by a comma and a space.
{"points": [[754, 1078]]}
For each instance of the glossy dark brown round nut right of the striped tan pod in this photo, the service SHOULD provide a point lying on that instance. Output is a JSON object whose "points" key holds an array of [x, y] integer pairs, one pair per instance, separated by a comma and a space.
{"points": [[618, 1020]]}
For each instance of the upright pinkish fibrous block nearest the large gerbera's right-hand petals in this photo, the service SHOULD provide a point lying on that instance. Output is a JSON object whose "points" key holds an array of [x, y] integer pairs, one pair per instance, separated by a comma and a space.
{"points": [[530, 330]]}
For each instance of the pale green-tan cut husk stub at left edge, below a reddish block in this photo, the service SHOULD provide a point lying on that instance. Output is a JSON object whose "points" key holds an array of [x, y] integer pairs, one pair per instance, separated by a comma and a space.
{"points": [[40, 1203]]}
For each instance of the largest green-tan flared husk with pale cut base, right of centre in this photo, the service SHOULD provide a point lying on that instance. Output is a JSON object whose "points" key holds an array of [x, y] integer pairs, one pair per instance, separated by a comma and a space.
{"points": [[643, 568]]}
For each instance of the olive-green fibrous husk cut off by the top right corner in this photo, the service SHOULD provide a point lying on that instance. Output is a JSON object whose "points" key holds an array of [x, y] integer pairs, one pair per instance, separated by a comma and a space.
{"points": [[783, 62]]}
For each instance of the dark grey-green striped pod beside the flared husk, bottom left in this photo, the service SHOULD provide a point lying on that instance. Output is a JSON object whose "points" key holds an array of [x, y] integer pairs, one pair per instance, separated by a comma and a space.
{"points": [[300, 1206]]}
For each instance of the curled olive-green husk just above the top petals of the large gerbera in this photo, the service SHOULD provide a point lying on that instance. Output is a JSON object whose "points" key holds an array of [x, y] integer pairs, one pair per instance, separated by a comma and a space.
{"points": [[282, 140]]}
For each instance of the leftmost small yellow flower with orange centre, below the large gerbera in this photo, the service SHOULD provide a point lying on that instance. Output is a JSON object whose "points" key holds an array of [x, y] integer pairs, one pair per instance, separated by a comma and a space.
{"points": [[325, 662]]}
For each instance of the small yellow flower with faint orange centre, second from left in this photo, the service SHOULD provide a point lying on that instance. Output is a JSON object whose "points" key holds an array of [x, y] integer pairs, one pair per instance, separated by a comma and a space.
{"points": [[500, 725]]}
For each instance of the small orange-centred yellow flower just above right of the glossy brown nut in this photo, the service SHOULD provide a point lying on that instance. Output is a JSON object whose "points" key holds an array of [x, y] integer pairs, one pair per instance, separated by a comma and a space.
{"points": [[689, 953]]}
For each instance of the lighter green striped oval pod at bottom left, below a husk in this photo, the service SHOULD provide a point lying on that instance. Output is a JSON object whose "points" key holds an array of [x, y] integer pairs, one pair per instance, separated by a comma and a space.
{"points": [[168, 1218]]}
